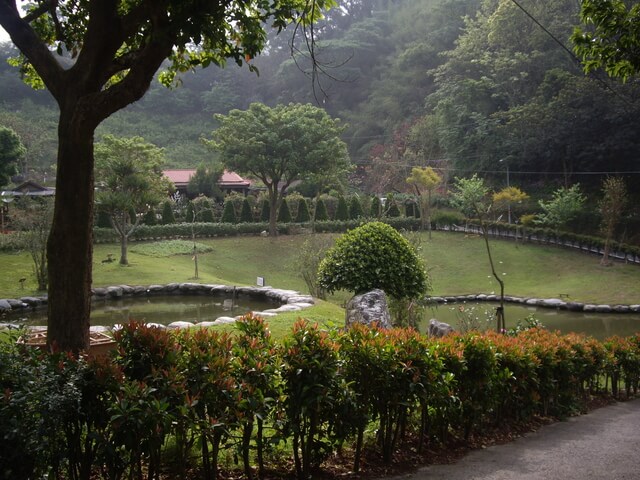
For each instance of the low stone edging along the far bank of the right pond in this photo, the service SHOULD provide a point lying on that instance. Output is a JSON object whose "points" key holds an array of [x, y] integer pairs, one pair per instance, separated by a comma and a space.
{"points": [[542, 302]]}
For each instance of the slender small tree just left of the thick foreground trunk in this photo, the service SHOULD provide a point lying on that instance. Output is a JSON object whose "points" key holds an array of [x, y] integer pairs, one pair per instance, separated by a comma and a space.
{"points": [[33, 218]]}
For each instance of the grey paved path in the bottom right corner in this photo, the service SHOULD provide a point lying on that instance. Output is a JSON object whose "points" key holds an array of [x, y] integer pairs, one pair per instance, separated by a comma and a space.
{"points": [[604, 444]]}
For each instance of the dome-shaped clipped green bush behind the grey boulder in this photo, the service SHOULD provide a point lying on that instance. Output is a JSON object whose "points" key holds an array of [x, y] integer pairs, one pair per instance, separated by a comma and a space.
{"points": [[372, 256]]}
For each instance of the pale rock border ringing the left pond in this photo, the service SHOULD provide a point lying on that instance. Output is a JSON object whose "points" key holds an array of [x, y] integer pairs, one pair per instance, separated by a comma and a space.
{"points": [[290, 300]]}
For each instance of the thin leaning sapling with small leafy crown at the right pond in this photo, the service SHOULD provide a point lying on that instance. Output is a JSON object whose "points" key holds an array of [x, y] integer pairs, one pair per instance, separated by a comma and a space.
{"points": [[471, 196]]}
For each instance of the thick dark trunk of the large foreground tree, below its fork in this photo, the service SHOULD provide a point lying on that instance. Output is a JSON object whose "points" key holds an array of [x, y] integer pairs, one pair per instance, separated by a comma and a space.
{"points": [[71, 240]]}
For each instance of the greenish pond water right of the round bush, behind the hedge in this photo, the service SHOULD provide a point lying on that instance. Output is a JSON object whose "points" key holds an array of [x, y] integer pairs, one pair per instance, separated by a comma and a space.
{"points": [[482, 314]]}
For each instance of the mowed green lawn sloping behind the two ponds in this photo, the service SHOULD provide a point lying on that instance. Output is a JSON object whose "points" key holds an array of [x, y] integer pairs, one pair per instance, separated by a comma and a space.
{"points": [[457, 264]]}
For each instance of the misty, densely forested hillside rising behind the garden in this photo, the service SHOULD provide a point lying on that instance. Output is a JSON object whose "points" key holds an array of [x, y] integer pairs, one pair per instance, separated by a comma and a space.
{"points": [[487, 86]]}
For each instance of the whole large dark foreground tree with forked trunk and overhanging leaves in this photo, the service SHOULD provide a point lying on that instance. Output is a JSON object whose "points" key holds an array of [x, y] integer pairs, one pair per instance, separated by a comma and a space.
{"points": [[116, 48]]}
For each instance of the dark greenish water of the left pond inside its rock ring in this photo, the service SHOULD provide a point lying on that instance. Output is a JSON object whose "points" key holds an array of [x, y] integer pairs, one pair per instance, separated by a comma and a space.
{"points": [[162, 309]]}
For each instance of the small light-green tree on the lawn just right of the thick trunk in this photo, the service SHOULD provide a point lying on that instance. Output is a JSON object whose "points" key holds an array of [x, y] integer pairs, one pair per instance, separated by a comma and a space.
{"points": [[130, 182]]}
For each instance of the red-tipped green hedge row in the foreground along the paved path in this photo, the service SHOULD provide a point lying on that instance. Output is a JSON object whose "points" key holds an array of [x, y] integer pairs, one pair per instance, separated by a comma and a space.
{"points": [[198, 392]]}
